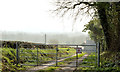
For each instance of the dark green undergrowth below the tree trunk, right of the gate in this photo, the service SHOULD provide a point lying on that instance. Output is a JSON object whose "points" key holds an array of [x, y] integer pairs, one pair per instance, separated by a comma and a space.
{"points": [[111, 62]]}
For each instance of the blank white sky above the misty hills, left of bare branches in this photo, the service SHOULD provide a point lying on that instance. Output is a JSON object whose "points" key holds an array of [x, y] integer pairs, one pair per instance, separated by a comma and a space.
{"points": [[33, 16]]}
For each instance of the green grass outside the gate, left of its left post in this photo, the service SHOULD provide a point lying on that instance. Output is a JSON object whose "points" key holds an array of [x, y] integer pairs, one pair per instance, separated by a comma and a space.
{"points": [[9, 60]]}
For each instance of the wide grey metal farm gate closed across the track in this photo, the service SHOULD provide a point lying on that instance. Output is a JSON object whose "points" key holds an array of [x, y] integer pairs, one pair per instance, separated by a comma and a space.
{"points": [[55, 55]]}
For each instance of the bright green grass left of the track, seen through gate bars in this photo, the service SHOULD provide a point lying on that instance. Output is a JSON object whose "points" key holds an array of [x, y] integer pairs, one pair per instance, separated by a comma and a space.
{"points": [[44, 57]]}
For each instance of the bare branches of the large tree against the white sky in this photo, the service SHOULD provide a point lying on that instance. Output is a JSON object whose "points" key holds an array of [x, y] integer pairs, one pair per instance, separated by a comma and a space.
{"points": [[74, 8]]}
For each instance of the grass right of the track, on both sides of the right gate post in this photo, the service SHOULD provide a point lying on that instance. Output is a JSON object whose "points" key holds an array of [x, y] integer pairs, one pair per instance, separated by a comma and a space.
{"points": [[105, 64]]}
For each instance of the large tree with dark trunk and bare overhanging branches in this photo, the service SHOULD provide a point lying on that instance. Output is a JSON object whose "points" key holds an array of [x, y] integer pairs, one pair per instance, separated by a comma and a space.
{"points": [[76, 8]]}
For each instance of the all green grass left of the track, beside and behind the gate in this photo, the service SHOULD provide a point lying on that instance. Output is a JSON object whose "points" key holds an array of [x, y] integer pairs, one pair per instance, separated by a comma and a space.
{"points": [[29, 56]]}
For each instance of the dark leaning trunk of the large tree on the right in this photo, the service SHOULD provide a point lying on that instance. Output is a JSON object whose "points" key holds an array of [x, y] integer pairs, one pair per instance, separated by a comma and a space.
{"points": [[112, 39]]}
